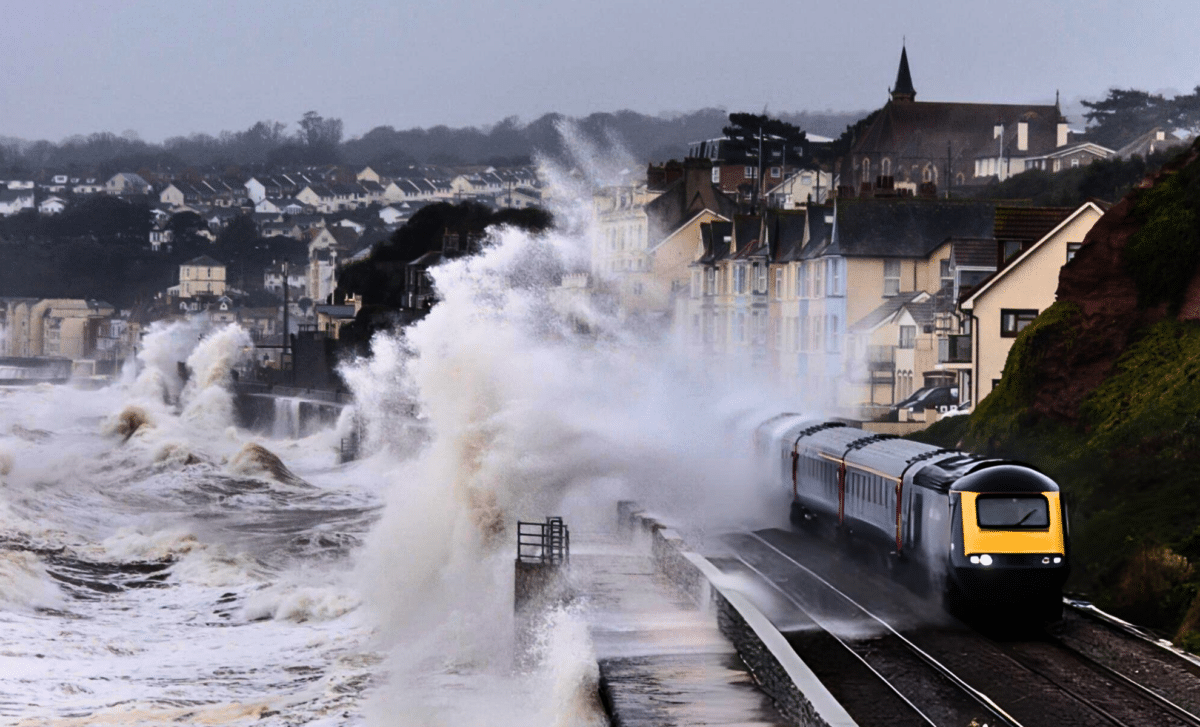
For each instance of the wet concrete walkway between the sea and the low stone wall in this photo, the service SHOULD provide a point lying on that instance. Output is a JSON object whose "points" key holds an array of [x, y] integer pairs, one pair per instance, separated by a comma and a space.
{"points": [[663, 660]]}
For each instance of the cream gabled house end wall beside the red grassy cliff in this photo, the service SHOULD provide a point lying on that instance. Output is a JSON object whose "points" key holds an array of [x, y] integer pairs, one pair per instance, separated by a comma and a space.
{"points": [[1004, 305]]}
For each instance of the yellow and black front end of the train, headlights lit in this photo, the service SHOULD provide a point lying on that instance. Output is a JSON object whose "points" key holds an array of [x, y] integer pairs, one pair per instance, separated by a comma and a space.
{"points": [[1009, 540]]}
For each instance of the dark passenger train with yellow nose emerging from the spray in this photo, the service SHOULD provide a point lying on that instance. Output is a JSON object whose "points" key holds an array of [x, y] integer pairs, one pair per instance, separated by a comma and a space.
{"points": [[993, 534]]}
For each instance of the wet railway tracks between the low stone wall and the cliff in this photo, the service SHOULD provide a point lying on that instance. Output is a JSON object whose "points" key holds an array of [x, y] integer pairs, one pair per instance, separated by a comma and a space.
{"points": [[945, 672]]}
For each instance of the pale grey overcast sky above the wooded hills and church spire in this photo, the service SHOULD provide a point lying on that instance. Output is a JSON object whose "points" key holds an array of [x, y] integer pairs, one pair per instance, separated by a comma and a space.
{"points": [[170, 69]]}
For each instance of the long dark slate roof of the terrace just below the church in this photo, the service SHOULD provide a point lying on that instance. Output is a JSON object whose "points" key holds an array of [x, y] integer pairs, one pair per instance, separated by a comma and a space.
{"points": [[905, 229]]}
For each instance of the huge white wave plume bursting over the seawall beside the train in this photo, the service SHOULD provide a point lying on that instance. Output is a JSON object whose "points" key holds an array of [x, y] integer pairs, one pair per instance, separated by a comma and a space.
{"points": [[525, 416]]}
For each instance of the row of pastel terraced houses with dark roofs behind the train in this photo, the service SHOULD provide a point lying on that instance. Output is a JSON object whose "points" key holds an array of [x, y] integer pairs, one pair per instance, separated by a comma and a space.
{"points": [[842, 304]]}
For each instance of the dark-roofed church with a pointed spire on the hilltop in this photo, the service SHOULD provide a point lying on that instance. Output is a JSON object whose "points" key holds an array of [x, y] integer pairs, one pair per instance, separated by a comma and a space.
{"points": [[939, 147]]}
